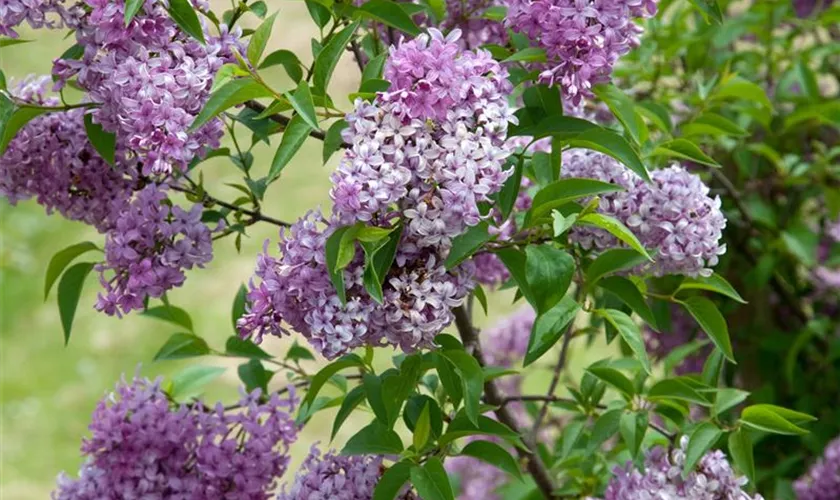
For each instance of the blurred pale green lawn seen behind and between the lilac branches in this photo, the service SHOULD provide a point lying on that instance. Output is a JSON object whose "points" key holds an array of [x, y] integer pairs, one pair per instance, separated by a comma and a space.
{"points": [[48, 391]]}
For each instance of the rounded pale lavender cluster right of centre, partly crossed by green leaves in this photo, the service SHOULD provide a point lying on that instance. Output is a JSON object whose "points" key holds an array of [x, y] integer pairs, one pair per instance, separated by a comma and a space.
{"points": [[673, 215]]}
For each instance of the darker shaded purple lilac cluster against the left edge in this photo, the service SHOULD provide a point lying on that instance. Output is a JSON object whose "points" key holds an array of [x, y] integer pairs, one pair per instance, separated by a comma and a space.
{"points": [[51, 160]]}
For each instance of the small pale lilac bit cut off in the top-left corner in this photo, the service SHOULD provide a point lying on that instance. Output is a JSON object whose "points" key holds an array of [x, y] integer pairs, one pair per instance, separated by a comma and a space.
{"points": [[37, 14]]}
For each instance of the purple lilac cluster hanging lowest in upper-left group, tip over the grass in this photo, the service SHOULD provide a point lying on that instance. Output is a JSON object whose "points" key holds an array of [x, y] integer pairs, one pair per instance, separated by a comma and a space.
{"points": [[148, 250]]}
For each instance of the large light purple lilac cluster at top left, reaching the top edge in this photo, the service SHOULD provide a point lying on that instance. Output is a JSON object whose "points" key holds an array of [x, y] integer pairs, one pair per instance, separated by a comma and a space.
{"points": [[150, 79]]}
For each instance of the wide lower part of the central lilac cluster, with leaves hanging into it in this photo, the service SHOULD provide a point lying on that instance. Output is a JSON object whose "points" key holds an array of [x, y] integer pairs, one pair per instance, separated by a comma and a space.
{"points": [[418, 293]]}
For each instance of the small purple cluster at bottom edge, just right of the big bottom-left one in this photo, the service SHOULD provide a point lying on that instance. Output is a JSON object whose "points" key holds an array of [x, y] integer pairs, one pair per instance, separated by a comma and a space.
{"points": [[332, 476]]}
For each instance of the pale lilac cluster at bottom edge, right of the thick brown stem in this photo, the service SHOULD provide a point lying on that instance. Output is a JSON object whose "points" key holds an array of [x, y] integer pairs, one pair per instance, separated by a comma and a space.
{"points": [[711, 479]]}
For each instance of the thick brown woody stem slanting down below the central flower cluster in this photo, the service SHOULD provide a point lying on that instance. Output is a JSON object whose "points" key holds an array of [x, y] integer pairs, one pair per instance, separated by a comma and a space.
{"points": [[491, 393]]}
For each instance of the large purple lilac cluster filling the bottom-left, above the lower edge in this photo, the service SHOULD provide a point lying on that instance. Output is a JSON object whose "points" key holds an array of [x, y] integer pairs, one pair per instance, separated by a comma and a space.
{"points": [[142, 447]]}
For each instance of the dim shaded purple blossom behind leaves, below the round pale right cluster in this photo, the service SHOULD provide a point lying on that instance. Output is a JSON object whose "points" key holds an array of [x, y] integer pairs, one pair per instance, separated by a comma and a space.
{"points": [[683, 330]]}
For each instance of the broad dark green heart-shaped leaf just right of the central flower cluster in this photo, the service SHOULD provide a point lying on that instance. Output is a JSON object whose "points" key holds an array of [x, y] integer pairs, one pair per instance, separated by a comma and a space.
{"points": [[548, 271]]}
